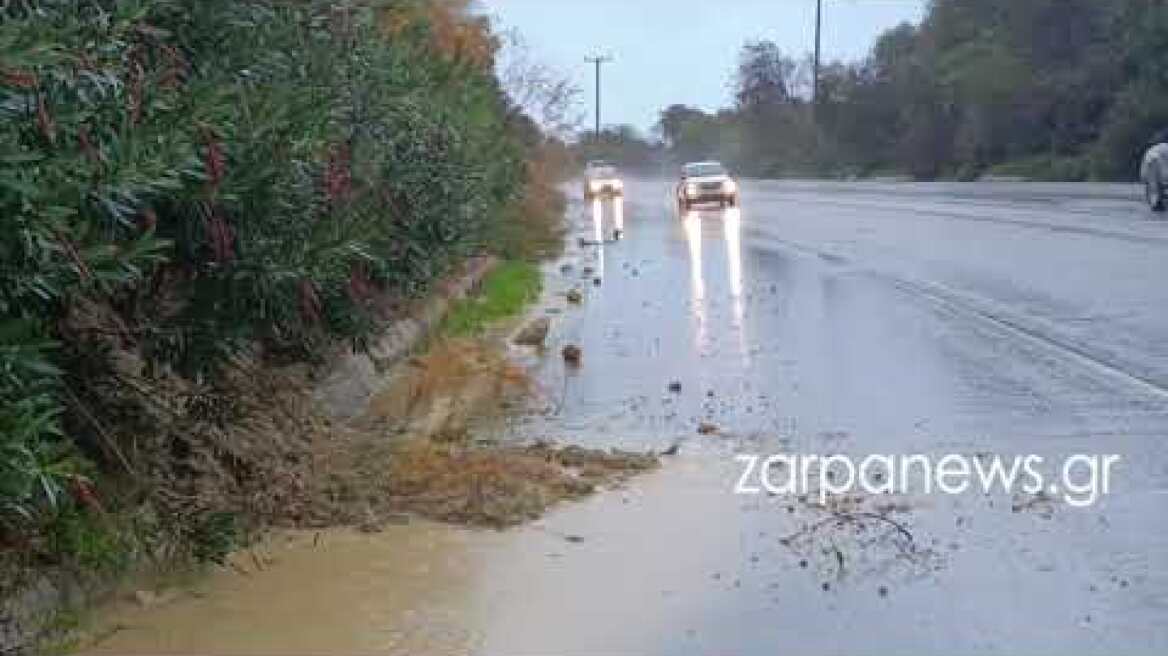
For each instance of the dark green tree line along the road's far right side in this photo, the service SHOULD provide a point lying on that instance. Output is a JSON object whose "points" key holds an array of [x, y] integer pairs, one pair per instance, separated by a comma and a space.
{"points": [[1048, 89]]}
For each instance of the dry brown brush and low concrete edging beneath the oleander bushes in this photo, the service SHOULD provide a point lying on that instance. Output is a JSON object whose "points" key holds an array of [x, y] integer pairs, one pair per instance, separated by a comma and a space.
{"points": [[289, 425]]}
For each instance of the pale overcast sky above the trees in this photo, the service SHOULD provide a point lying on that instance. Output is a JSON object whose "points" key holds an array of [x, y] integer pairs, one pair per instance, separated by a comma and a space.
{"points": [[685, 51]]}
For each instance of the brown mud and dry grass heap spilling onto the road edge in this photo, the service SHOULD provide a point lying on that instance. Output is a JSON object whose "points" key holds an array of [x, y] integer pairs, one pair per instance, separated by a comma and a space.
{"points": [[423, 450]]}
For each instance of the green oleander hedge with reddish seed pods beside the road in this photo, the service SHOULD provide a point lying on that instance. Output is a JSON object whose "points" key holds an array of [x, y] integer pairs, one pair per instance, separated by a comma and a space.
{"points": [[183, 182]]}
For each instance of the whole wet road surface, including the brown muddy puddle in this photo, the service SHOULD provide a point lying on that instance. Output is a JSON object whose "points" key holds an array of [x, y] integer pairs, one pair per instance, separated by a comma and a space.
{"points": [[819, 319]]}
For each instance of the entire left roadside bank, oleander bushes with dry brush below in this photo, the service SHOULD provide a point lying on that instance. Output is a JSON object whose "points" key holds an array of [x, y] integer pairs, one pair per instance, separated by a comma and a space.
{"points": [[208, 269]]}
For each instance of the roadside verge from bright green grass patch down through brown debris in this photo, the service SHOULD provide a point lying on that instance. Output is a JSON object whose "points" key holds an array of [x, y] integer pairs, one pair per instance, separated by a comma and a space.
{"points": [[412, 452]]}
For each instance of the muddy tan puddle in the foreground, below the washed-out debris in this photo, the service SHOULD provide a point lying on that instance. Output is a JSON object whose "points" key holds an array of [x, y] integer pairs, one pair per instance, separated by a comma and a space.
{"points": [[429, 589]]}
